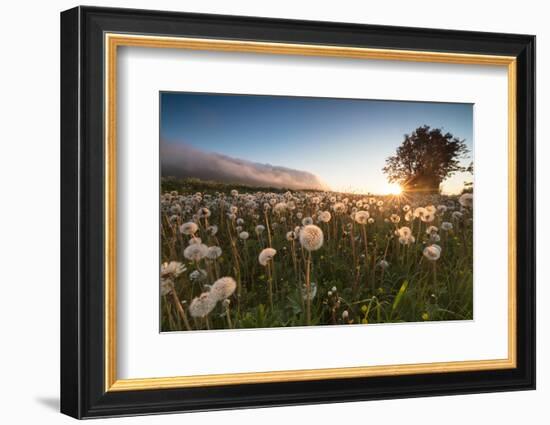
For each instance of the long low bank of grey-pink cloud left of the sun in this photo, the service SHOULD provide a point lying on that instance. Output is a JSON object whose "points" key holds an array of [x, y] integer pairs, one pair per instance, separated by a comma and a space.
{"points": [[180, 160]]}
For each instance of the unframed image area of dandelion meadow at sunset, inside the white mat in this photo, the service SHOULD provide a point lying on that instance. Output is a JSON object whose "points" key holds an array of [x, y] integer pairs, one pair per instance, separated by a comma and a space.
{"points": [[280, 211]]}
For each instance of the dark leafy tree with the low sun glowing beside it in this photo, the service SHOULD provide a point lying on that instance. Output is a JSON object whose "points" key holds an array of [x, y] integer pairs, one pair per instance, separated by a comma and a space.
{"points": [[425, 158]]}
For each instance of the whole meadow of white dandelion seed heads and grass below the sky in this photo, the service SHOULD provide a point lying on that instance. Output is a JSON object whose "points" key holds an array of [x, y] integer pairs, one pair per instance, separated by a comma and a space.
{"points": [[237, 257]]}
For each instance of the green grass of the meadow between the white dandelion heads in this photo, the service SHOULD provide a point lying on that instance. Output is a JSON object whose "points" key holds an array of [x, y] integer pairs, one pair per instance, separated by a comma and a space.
{"points": [[411, 289]]}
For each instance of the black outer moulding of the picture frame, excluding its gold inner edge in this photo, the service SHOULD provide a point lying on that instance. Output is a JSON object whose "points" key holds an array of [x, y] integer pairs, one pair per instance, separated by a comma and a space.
{"points": [[82, 212]]}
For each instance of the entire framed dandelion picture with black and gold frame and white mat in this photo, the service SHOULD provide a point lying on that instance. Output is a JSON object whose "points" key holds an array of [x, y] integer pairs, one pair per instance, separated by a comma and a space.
{"points": [[261, 212]]}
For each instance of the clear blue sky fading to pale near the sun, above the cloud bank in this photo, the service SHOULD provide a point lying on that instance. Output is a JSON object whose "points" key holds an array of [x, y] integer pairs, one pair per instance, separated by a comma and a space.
{"points": [[343, 141]]}
